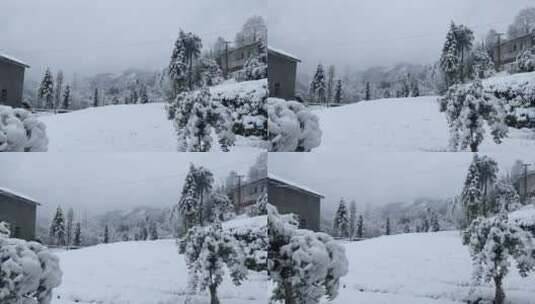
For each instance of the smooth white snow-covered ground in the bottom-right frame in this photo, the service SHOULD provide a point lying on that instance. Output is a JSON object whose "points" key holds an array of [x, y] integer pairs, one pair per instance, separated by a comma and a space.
{"points": [[419, 268]]}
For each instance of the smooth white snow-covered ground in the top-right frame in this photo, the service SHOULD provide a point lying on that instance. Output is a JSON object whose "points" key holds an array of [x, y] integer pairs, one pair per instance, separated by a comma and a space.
{"points": [[400, 125]]}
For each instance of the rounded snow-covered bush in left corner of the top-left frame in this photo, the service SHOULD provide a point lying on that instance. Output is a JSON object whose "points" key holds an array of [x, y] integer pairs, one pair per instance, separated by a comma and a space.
{"points": [[20, 131]]}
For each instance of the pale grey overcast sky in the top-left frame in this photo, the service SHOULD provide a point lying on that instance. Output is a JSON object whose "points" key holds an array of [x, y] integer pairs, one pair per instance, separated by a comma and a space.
{"points": [[109, 36]]}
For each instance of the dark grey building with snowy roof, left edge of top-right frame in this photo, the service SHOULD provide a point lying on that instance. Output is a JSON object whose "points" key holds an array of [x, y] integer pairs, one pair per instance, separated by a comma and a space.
{"points": [[282, 73]]}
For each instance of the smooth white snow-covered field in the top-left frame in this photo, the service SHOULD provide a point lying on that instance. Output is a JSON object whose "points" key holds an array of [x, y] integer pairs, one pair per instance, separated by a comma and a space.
{"points": [[117, 128]]}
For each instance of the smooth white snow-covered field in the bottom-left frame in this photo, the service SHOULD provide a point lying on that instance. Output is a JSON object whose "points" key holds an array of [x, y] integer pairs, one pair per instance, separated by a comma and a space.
{"points": [[144, 272]]}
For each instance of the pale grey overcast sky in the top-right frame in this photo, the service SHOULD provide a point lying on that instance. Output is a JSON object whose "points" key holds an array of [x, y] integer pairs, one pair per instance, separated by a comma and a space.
{"points": [[366, 33]]}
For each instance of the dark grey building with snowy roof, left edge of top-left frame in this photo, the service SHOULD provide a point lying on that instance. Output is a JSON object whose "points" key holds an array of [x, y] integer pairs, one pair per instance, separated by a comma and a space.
{"points": [[11, 81]]}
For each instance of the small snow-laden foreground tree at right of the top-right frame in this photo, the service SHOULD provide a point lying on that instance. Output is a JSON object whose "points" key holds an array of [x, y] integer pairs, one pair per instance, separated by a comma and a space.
{"points": [[467, 107]]}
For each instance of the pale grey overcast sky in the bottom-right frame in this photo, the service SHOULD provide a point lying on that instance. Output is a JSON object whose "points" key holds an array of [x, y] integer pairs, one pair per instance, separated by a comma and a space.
{"points": [[380, 178]]}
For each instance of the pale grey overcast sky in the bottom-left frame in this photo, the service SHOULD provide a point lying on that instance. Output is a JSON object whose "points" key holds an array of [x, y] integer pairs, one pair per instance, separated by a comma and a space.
{"points": [[102, 182]]}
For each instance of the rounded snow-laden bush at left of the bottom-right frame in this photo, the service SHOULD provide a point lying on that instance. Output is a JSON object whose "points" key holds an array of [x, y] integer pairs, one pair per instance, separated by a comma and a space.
{"points": [[304, 266]]}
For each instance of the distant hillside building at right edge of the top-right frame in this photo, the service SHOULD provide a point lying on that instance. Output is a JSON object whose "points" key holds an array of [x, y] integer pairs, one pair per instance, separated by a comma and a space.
{"points": [[505, 52]]}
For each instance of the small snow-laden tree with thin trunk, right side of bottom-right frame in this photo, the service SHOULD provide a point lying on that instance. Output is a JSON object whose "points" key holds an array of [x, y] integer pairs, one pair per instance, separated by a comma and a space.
{"points": [[493, 242]]}
